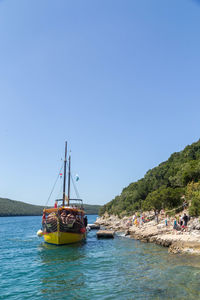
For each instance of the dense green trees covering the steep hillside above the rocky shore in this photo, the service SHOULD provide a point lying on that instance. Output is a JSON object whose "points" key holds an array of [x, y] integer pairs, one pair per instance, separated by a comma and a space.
{"points": [[163, 186]]}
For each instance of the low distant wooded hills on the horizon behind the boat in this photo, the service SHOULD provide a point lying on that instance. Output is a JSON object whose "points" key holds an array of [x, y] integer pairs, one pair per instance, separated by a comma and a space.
{"points": [[9, 208]]}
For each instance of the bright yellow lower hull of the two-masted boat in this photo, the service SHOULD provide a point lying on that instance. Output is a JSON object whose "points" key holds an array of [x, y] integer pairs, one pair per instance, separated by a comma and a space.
{"points": [[63, 238]]}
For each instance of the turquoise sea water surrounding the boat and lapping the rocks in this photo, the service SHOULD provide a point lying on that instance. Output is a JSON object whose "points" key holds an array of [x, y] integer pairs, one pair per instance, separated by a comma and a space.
{"points": [[121, 268]]}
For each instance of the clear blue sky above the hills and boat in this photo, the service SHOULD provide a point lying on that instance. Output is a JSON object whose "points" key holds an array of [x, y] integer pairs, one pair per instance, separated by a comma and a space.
{"points": [[119, 80]]}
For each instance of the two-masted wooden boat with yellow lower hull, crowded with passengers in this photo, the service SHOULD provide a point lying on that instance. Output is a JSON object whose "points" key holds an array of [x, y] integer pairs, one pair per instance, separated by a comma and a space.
{"points": [[65, 223]]}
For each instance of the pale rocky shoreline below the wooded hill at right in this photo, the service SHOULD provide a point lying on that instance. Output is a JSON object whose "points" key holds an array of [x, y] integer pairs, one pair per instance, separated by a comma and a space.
{"points": [[186, 241]]}
